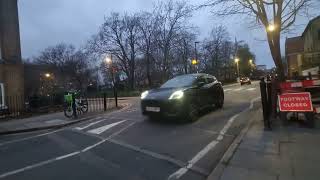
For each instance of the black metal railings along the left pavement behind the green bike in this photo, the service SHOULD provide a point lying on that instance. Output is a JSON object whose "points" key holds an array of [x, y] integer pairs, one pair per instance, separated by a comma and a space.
{"points": [[20, 106]]}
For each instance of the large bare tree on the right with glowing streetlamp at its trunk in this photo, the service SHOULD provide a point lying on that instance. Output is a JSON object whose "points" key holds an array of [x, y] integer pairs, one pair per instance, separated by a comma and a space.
{"points": [[275, 16]]}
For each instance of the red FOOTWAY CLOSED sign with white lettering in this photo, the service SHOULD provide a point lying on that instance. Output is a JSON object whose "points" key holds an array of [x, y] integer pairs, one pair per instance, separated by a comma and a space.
{"points": [[295, 102]]}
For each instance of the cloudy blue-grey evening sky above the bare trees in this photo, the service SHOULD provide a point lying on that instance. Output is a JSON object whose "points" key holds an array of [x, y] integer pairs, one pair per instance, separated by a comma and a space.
{"points": [[48, 22]]}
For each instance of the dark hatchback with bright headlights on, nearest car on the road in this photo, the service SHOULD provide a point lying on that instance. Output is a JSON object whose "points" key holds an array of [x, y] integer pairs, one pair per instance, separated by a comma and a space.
{"points": [[183, 97]]}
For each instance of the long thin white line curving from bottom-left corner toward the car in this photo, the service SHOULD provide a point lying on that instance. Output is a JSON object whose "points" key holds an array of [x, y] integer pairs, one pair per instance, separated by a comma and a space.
{"points": [[63, 156]]}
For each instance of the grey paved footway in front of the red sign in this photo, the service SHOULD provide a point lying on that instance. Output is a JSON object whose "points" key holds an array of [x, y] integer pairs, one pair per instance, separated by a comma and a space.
{"points": [[284, 153]]}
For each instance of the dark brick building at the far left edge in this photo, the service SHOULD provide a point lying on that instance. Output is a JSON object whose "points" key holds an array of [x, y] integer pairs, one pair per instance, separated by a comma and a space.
{"points": [[11, 67]]}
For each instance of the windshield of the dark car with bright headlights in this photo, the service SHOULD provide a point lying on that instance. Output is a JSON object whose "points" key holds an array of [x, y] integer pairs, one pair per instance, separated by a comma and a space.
{"points": [[179, 81]]}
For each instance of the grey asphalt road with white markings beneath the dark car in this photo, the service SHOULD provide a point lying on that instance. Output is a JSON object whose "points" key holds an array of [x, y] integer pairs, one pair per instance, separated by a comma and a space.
{"points": [[126, 145]]}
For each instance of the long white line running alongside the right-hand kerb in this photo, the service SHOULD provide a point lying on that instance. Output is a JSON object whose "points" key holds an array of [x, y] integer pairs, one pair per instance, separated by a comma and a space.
{"points": [[179, 173]]}
